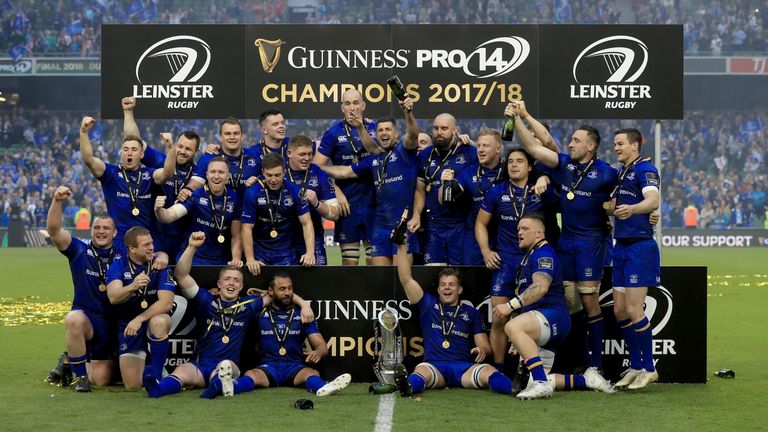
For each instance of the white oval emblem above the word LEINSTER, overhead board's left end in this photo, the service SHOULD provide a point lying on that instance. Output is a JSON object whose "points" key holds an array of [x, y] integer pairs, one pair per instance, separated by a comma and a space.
{"points": [[188, 57]]}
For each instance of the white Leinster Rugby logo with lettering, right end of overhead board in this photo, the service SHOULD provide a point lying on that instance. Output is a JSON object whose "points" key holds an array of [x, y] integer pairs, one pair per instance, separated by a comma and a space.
{"points": [[608, 69]]}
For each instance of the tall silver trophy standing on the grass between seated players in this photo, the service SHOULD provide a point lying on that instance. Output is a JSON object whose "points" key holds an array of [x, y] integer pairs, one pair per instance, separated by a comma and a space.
{"points": [[387, 351]]}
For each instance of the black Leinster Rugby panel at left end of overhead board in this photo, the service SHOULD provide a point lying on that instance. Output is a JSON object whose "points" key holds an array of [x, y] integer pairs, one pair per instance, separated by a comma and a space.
{"points": [[183, 71]]}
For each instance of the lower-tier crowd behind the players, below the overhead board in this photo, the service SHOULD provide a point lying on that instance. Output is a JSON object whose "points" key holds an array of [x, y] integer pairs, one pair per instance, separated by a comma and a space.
{"points": [[715, 161]]}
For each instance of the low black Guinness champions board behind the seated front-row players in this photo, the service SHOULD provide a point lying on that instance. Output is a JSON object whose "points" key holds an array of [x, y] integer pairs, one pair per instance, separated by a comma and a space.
{"points": [[347, 300]]}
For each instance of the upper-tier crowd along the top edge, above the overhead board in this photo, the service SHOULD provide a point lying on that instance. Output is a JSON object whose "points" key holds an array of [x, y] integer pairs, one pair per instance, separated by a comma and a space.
{"points": [[72, 28]]}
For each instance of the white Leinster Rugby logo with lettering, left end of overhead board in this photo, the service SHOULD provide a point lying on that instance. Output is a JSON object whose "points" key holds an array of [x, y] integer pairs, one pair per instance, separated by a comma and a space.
{"points": [[172, 69]]}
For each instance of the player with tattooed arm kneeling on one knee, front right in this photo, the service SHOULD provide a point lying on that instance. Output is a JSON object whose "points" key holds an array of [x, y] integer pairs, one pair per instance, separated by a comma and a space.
{"points": [[543, 322]]}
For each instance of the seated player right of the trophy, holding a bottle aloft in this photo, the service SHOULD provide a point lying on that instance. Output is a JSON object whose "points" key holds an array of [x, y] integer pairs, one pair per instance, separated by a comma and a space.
{"points": [[455, 343]]}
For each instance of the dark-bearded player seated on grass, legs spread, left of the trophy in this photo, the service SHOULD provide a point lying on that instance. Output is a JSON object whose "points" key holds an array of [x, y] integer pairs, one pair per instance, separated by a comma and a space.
{"points": [[281, 334]]}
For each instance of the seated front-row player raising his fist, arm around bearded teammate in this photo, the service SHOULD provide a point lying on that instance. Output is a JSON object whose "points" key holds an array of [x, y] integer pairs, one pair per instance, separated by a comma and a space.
{"points": [[226, 318]]}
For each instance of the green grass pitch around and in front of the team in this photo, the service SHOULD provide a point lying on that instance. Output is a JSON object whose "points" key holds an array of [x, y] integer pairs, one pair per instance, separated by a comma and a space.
{"points": [[736, 340]]}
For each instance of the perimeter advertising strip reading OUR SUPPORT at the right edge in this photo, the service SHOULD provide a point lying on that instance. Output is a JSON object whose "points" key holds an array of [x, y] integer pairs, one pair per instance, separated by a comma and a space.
{"points": [[714, 238]]}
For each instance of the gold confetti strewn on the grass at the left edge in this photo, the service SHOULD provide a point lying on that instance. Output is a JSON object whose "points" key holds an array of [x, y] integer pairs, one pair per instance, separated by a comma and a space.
{"points": [[29, 310]]}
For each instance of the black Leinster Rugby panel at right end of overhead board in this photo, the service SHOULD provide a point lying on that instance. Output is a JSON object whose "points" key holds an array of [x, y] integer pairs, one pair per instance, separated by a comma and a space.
{"points": [[611, 71]]}
